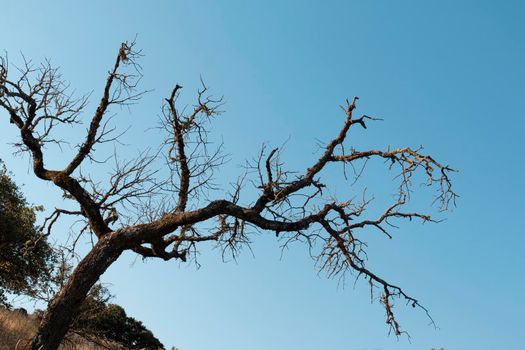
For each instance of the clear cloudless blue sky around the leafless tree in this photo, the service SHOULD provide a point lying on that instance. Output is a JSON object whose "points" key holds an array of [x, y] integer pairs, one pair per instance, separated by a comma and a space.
{"points": [[447, 74]]}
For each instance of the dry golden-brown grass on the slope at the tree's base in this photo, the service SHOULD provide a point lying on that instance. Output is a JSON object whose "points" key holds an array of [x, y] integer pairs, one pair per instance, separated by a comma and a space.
{"points": [[17, 330]]}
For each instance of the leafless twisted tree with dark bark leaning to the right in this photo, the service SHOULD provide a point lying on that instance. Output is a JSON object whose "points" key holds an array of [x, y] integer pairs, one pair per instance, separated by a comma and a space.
{"points": [[137, 209]]}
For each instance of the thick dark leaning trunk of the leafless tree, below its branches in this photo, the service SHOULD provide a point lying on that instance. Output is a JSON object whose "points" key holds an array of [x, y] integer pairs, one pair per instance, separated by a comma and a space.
{"points": [[65, 304]]}
